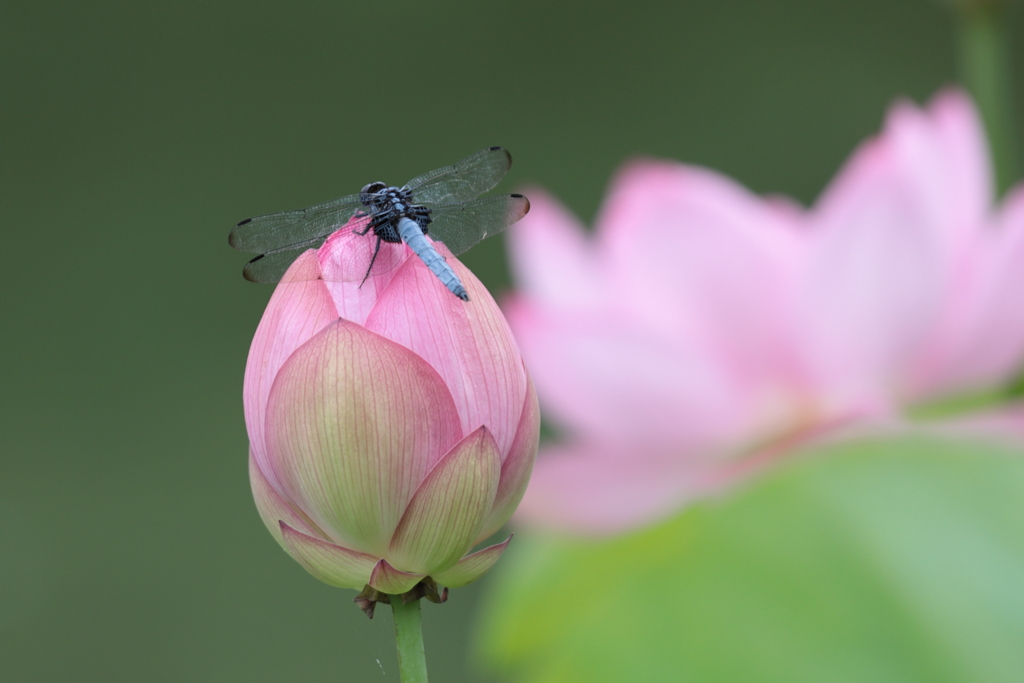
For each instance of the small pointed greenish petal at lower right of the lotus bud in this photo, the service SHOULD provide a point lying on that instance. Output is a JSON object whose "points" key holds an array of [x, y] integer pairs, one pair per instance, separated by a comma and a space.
{"points": [[449, 510]]}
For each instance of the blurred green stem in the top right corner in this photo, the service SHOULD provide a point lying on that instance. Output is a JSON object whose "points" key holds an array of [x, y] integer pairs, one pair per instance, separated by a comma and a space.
{"points": [[985, 68]]}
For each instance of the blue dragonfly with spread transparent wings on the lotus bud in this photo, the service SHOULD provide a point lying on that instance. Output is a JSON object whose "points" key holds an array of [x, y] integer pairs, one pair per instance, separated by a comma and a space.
{"points": [[444, 204]]}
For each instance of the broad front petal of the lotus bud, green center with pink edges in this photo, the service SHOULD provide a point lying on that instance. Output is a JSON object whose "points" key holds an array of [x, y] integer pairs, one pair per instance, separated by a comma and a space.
{"points": [[355, 422]]}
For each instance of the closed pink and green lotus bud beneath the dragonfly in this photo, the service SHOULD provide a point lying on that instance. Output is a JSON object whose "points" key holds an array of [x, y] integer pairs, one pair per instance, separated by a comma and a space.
{"points": [[392, 426]]}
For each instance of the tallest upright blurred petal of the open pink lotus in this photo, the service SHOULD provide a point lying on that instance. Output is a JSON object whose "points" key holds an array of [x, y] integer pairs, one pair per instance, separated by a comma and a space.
{"points": [[889, 239]]}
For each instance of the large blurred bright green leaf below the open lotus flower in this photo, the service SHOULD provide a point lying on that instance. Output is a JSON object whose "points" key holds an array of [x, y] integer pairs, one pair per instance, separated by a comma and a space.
{"points": [[888, 560]]}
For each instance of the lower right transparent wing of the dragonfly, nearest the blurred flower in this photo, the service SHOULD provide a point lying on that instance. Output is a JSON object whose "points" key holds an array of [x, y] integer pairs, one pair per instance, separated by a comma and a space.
{"points": [[460, 227]]}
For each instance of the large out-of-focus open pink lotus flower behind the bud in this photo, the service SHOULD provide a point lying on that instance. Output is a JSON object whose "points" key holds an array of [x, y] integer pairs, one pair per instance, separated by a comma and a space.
{"points": [[703, 327]]}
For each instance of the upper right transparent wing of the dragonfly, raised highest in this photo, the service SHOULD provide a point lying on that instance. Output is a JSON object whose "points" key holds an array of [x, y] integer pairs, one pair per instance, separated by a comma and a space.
{"points": [[463, 182]]}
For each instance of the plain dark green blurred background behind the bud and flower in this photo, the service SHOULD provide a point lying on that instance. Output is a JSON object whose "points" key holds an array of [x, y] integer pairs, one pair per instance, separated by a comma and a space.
{"points": [[134, 137]]}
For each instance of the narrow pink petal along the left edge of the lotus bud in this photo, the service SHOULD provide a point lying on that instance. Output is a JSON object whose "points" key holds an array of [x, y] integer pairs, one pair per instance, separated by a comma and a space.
{"points": [[298, 310]]}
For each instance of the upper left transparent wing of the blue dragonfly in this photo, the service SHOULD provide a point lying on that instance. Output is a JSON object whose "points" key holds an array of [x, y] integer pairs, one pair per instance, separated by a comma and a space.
{"points": [[289, 230]]}
